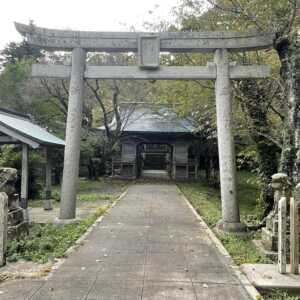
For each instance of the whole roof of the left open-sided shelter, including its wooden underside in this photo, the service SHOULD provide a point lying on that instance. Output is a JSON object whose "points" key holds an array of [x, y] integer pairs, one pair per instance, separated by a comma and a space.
{"points": [[20, 128]]}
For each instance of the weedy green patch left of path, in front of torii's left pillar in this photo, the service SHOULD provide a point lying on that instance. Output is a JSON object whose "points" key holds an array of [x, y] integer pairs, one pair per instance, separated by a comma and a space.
{"points": [[48, 241]]}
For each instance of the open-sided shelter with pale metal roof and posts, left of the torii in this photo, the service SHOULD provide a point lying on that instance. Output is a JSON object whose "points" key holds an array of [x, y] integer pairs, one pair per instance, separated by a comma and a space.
{"points": [[17, 128]]}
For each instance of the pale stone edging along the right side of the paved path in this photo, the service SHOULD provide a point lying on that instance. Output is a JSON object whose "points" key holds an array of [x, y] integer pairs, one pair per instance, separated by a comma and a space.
{"points": [[251, 290]]}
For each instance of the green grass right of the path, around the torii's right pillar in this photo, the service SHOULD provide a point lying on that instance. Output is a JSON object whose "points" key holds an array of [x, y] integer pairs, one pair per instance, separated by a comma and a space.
{"points": [[207, 202]]}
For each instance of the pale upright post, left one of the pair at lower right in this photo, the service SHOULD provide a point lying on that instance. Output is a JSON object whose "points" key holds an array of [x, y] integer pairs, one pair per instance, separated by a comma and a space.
{"points": [[282, 235]]}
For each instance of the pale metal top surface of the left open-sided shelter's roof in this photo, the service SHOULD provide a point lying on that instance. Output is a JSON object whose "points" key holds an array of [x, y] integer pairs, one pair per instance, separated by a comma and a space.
{"points": [[23, 126]]}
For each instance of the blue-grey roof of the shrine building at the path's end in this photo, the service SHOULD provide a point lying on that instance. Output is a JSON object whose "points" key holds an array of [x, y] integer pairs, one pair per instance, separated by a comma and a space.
{"points": [[143, 117]]}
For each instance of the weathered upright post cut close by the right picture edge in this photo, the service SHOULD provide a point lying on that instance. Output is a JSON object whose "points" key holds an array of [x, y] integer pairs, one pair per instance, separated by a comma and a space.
{"points": [[294, 230]]}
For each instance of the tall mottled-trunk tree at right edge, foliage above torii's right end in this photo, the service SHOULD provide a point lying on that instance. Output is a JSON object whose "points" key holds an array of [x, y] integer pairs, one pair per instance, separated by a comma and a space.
{"points": [[280, 17]]}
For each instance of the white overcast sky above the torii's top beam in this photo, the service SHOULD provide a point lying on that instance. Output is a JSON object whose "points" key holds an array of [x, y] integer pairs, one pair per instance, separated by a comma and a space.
{"points": [[98, 15]]}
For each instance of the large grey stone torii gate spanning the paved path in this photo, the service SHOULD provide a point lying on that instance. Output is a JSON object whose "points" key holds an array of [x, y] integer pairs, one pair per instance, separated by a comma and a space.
{"points": [[148, 47]]}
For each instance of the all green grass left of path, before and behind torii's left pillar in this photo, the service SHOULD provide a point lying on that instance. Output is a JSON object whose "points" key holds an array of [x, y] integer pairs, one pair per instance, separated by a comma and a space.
{"points": [[48, 241]]}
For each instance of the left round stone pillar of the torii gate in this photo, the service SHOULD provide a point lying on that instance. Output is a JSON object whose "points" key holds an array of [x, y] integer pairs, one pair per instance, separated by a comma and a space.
{"points": [[73, 135]]}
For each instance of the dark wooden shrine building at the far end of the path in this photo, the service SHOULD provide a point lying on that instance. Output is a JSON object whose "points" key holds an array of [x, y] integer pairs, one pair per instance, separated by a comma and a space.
{"points": [[155, 142]]}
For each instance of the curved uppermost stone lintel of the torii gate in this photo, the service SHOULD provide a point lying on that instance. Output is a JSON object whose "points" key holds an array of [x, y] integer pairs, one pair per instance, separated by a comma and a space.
{"points": [[53, 39]]}
